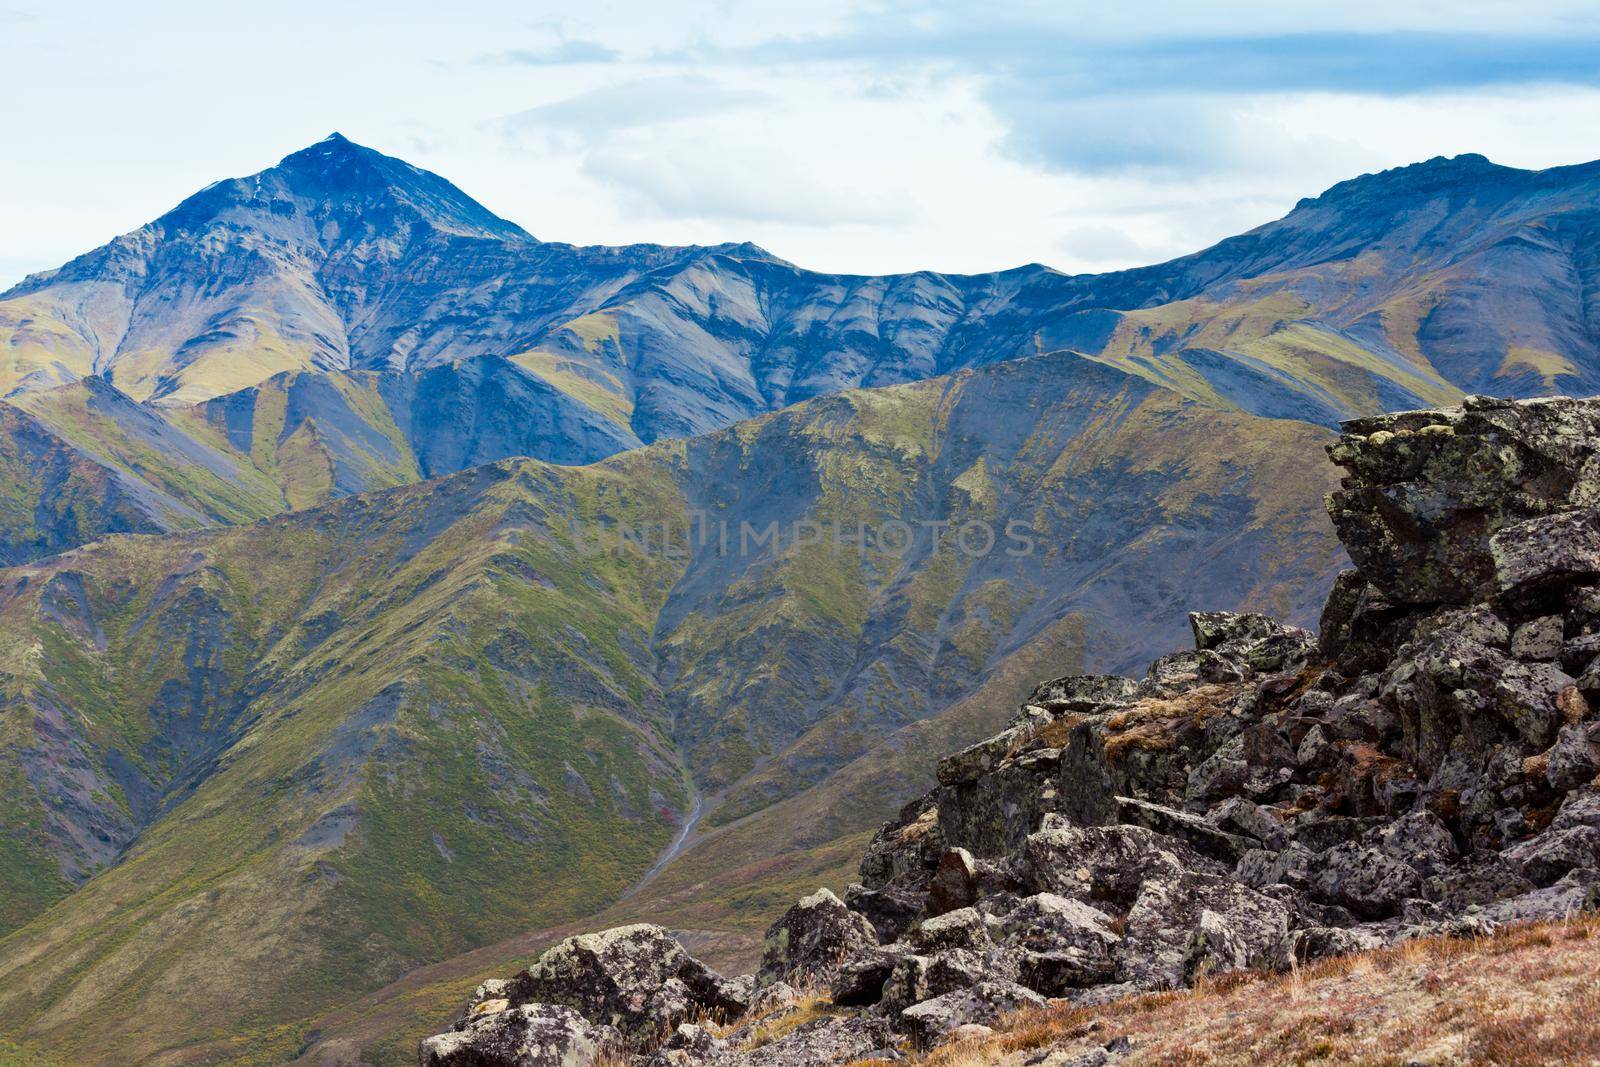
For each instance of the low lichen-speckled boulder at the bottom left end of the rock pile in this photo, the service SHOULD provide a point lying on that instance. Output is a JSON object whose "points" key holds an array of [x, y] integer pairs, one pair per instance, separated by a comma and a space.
{"points": [[529, 1036]]}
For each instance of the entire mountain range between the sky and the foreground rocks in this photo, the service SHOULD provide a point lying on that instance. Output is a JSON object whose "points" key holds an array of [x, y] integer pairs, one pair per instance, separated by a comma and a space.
{"points": [[314, 679]]}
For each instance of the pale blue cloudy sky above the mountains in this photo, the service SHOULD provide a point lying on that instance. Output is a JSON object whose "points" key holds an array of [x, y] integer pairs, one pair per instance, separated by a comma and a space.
{"points": [[844, 137]]}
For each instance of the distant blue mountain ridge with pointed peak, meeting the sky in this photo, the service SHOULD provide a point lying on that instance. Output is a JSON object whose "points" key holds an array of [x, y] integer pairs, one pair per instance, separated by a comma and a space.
{"points": [[326, 316]]}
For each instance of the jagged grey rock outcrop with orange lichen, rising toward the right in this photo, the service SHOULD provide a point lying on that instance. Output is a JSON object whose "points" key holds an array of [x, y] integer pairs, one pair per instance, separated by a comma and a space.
{"points": [[1425, 767]]}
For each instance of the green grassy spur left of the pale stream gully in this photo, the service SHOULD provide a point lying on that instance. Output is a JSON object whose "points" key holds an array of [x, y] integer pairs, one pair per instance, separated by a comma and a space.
{"points": [[407, 780]]}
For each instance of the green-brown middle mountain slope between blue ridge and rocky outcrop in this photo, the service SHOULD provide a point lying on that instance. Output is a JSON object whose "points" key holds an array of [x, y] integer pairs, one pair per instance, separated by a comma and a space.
{"points": [[457, 730]]}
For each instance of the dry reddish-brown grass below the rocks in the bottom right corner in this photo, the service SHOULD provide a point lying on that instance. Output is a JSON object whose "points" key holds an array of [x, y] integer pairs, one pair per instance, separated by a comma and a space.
{"points": [[1526, 997]]}
